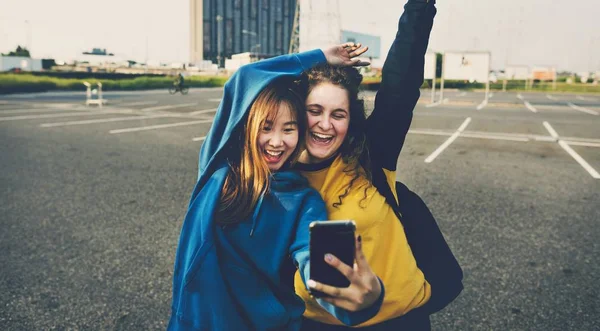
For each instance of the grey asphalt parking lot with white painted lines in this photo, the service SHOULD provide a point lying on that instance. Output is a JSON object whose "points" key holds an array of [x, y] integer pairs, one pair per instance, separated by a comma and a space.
{"points": [[93, 200]]}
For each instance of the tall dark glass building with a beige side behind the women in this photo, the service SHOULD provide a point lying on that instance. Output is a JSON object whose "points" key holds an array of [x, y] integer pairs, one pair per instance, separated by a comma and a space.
{"points": [[220, 28]]}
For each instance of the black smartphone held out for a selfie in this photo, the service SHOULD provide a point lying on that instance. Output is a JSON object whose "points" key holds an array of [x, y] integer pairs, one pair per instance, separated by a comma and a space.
{"points": [[333, 237]]}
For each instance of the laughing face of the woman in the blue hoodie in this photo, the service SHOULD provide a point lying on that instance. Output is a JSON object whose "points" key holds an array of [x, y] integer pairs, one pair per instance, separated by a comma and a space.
{"points": [[278, 138]]}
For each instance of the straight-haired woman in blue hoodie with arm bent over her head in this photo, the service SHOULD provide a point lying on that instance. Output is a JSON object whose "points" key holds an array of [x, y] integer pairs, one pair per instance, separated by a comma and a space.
{"points": [[249, 212]]}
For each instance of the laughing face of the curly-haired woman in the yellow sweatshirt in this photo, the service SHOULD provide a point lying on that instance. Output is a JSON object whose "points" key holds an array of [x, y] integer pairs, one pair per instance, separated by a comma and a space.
{"points": [[328, 114]]}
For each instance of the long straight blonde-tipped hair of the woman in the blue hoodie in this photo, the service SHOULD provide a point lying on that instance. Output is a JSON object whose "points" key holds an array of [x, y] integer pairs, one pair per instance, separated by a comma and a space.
{"points": [[249, 174]]}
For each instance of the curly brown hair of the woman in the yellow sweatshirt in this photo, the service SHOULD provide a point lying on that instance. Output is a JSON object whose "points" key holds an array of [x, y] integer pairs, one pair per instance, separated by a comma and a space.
{"points": [[354, 150]]}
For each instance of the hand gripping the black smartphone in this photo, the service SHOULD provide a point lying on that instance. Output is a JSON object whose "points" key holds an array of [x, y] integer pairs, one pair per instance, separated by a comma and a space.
{"points": [[364, 287]]}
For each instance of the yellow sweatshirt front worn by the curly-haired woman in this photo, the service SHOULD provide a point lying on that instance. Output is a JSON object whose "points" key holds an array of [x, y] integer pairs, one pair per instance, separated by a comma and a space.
{"points": [[384, 243]]}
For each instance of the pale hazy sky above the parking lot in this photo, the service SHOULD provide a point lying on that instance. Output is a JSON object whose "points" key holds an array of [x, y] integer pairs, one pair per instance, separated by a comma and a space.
{"points": [[561, 33]]}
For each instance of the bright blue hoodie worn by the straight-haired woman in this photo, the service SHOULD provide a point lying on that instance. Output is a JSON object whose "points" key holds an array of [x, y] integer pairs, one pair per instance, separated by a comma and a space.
{"points": [[230, 278]]}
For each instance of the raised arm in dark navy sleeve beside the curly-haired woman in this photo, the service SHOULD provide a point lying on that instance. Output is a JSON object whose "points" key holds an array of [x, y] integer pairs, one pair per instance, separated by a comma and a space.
{"points": [[402, 77]]}
